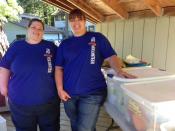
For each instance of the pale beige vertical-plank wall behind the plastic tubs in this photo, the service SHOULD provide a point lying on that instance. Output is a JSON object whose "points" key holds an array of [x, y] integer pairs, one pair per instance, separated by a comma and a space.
{"points": [[150, 39]]}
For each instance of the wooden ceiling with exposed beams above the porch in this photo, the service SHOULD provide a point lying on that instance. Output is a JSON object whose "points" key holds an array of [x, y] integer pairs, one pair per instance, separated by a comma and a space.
{"points": [[106, 10]]}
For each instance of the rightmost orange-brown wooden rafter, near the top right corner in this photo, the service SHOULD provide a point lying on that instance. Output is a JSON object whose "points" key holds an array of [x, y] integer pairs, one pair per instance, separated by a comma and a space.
{"points": [[154, 6]]}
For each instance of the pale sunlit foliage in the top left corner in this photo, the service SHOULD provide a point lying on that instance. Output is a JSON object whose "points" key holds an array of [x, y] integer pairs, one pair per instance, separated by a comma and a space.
{"points": [[9, 10]]}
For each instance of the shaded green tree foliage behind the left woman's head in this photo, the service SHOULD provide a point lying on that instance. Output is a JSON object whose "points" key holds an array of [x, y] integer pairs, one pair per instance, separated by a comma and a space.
{"points": [[39, 8]]}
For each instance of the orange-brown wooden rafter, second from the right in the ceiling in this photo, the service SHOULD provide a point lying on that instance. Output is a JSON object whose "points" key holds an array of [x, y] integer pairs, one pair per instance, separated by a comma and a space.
{"points": [[117, 8]]}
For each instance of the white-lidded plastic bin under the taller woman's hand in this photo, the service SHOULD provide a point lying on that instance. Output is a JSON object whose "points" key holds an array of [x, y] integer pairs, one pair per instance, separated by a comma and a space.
{"points": [[115, 93]]}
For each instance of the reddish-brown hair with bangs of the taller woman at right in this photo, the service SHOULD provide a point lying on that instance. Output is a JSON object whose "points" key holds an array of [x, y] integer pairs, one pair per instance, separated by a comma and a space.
{"points": [[77, 13]]}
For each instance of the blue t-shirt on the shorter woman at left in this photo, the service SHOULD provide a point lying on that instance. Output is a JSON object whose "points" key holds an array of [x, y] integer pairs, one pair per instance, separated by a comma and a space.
{"points": [[32, 72]]}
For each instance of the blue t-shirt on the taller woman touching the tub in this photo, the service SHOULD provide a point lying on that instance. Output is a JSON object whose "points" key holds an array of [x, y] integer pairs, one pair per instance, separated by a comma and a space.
{"points": [[81, 59]]}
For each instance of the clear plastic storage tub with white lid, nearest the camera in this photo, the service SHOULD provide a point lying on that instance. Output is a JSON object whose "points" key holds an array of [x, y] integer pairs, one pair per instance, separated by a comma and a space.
{"points": [[151, 105]]}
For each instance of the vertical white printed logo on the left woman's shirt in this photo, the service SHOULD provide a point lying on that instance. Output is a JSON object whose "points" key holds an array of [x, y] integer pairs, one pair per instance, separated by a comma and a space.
{"points": [[49, 61]]}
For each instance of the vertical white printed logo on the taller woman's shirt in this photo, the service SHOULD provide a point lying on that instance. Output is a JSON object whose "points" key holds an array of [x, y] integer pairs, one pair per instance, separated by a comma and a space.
{"points": [[93, 46]]}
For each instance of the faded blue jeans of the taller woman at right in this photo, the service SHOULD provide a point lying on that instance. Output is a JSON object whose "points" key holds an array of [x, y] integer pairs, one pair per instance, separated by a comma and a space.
{"points": [[83, 111]]}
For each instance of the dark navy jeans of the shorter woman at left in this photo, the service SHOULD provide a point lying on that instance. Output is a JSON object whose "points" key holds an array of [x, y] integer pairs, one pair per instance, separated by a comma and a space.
{"points": [[26, 118]]}
